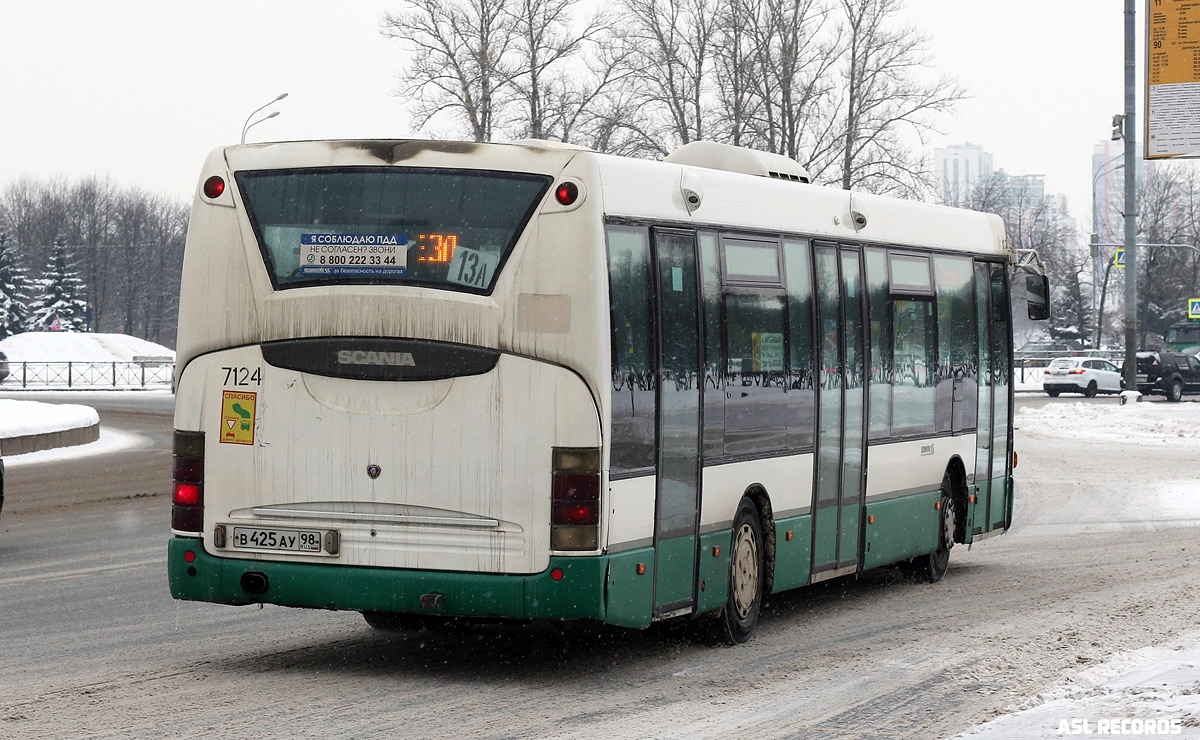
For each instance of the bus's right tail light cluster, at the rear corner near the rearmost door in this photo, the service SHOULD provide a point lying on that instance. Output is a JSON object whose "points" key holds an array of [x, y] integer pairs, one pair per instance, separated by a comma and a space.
{"points": [[575, 508]]}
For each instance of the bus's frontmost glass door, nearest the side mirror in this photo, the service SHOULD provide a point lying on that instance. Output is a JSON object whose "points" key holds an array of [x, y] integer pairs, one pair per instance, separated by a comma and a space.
{"points": [[989, 513]]}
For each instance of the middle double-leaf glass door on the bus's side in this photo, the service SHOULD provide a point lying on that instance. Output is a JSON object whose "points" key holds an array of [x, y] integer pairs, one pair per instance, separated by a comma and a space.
{"points": [[839, 489]]}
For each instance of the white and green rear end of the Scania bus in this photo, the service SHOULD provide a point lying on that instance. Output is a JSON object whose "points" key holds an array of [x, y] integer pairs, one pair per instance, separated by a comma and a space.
{"points": [[381, 405]]}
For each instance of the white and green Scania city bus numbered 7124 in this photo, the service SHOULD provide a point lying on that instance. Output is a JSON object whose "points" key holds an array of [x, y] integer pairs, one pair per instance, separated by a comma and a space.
{"points": [[430, 381]]}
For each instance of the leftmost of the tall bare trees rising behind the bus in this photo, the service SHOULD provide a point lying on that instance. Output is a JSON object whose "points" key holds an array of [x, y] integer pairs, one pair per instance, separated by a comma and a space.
{"points": [[458, 61]]}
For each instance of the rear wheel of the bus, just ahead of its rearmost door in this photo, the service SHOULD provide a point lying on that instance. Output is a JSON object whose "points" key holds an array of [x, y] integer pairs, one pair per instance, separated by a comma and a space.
{"points": [[737, 621]]}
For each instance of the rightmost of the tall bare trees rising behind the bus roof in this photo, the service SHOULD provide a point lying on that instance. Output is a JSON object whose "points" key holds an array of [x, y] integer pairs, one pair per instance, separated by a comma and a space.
{"points": [[885, 97]]}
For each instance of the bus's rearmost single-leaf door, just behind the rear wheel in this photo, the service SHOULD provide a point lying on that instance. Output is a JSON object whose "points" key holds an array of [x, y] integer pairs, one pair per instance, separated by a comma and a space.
{"points": [[681, 383]]}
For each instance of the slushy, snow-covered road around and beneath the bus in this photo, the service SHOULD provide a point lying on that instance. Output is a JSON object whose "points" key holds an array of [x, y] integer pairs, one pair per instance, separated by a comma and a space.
{"points": [[1102, 562]]}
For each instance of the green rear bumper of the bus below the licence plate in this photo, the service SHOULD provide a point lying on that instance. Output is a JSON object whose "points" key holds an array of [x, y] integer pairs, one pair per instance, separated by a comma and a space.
{"points": [[580, 594]]}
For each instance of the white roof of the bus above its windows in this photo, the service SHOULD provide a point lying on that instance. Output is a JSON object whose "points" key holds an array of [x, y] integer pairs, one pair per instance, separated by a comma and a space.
{"points": [[653, 190]]}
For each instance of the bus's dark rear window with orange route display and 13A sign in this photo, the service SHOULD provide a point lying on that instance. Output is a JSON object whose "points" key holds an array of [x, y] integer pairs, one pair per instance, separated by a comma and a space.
{"points": [[446, 228]]}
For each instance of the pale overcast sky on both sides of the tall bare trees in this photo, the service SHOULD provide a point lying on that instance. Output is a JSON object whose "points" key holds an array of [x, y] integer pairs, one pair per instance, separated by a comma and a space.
{"points": [[142, 91]]}
